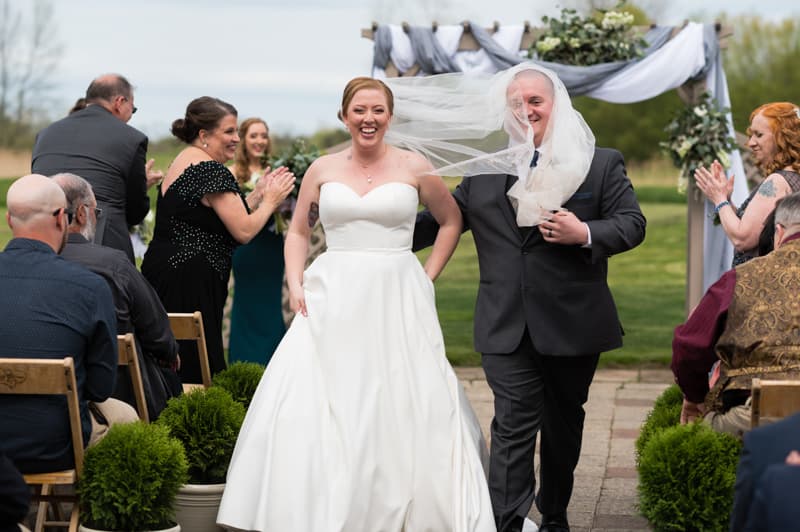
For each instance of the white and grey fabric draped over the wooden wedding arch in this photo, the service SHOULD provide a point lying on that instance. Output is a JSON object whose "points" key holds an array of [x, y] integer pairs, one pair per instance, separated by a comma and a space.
{"points": [[686, 58]]}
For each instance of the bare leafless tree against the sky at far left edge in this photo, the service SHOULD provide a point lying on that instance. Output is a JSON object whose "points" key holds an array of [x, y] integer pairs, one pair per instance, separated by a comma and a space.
{"points": [[29, 53]]}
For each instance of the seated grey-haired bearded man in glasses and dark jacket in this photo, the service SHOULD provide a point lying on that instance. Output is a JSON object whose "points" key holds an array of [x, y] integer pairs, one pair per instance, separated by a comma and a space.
{"points": [[139, 311]]}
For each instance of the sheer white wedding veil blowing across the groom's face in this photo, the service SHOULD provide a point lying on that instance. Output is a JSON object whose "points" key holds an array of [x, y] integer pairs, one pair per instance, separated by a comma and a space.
{"points": [[463, 124]]}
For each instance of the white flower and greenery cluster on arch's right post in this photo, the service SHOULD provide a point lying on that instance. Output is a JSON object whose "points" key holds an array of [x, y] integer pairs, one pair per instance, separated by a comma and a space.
{"points": [[698, 135]]}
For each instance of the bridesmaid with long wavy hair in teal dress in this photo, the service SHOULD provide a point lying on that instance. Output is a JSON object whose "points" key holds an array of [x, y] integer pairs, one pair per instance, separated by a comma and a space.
{"points": [[257, 324]]}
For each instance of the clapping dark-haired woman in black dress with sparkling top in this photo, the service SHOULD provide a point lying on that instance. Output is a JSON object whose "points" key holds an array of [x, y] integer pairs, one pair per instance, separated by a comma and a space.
{"points": [[201, 217]]}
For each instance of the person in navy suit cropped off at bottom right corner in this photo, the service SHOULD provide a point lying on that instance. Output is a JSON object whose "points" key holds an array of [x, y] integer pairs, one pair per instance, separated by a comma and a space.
{"points": [[768, 478]]}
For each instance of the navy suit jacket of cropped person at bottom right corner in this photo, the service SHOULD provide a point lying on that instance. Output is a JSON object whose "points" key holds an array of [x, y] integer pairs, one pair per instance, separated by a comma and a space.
{"points": [[763, 447]]}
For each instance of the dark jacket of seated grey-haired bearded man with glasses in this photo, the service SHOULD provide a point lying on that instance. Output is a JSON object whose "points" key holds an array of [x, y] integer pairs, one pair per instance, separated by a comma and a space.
{"points": [[139, 311]]}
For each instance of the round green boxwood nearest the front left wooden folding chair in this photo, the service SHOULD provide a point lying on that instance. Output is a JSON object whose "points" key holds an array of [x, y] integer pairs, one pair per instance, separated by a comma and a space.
{"points": [[130, 479]]}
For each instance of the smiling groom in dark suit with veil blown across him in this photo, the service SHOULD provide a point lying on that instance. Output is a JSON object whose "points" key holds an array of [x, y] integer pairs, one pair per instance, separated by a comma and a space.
{"points": [[544, 311]]}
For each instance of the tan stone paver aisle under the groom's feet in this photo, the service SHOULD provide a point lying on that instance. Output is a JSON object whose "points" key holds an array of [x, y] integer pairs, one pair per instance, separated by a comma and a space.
{"points": [[604, 497]]}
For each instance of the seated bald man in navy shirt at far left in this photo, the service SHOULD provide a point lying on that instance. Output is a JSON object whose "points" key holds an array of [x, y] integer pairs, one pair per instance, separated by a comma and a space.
{"points": [[52, 309]]}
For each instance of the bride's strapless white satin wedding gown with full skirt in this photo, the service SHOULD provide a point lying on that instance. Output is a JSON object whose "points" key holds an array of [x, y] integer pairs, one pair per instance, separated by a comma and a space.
{"points": [[359, 423]]}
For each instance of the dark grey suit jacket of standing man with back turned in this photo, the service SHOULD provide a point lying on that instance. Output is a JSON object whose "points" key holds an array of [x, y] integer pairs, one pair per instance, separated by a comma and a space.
{"points": [[110, 155]]}
